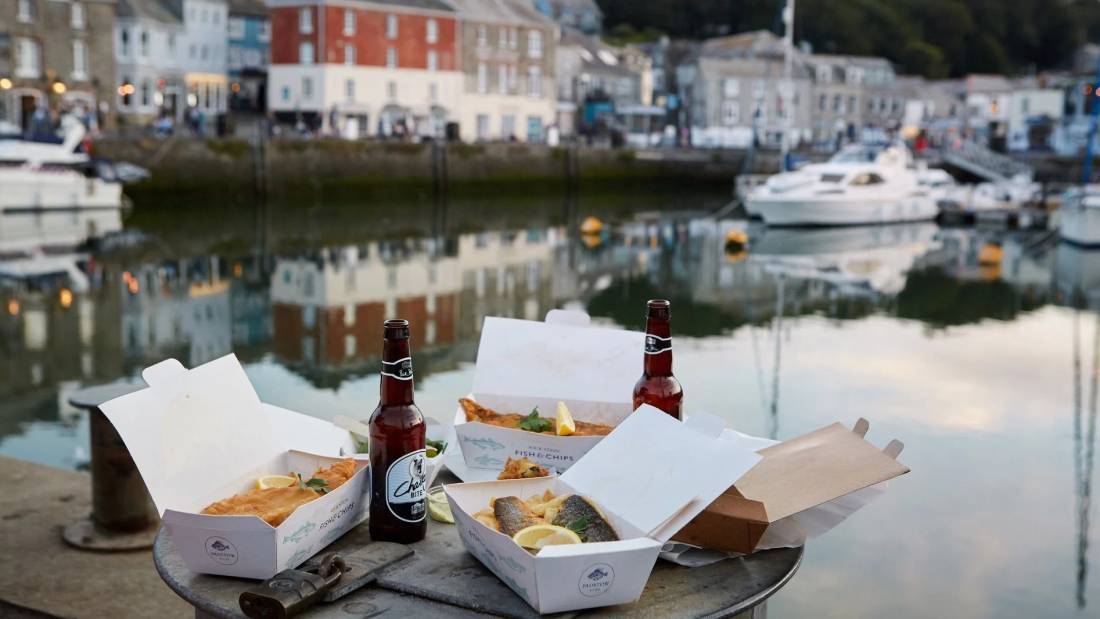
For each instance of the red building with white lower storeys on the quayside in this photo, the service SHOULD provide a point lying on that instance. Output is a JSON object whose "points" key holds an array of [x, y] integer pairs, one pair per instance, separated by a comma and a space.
{"points": [[388, 68]]}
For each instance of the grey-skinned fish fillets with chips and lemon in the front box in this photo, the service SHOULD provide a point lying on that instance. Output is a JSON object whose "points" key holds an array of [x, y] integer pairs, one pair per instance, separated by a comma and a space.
{"points": [[547, 519]]}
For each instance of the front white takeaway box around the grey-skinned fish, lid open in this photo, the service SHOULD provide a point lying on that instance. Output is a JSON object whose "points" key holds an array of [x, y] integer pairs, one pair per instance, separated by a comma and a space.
{"points": [[651, 477]]}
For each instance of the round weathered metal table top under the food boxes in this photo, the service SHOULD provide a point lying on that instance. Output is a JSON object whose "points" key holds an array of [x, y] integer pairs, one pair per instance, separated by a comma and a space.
{"points": [[443, 580]]}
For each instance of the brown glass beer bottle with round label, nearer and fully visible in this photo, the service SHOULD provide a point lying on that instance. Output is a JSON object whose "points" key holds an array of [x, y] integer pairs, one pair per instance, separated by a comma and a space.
{"points": [[399, 496]]}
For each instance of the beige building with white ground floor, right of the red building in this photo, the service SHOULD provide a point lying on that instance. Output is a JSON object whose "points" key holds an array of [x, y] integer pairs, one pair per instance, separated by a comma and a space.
{"points": [[508, 64]]}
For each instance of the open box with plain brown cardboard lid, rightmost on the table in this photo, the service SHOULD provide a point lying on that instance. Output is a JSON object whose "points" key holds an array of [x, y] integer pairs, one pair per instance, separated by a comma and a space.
{"points": [[802, 489]]}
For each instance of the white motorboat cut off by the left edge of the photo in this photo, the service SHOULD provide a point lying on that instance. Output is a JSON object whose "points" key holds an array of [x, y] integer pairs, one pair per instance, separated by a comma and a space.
{"points": [[40, 176]]}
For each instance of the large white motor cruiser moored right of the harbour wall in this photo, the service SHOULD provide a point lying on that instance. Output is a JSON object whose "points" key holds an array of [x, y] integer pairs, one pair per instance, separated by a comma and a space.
{"points": [[860, 185]]}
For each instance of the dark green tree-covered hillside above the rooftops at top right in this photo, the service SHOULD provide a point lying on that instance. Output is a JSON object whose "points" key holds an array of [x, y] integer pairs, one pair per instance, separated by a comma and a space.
{"points": [[937, 39]]}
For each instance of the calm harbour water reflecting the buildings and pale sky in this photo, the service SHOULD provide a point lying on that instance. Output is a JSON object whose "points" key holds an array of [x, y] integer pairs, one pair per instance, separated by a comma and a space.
{"points": [[978, 349]]}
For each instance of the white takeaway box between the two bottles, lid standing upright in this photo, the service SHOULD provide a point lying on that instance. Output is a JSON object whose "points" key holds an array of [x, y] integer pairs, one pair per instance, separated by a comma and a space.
{"points": [[526, 363]]}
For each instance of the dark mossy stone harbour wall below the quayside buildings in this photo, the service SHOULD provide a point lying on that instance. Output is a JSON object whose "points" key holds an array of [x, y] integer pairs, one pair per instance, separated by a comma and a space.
{"points": [[295, 169]]}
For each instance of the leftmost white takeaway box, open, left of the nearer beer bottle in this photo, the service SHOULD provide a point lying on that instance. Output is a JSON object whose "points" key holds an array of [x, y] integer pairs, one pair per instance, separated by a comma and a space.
{"points": [[202, 436]]}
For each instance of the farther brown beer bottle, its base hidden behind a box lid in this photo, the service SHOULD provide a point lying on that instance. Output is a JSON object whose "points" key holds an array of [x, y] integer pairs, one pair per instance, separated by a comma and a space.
{"points": [[658, 388]]}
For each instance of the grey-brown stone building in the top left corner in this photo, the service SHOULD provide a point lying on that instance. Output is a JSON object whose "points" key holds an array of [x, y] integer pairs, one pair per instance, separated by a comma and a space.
{"points": [[57, 56]]}
